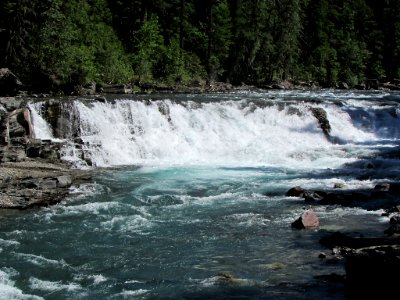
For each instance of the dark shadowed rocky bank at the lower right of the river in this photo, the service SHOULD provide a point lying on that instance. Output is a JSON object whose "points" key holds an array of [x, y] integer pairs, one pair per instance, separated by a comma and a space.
{"points": [[371, 263]]}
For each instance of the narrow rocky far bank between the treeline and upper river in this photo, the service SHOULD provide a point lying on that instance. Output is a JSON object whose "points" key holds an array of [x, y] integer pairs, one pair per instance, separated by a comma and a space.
{"points": [[10, 85]]}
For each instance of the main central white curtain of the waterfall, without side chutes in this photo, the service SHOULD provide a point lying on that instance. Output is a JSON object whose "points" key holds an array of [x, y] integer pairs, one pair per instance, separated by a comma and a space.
{"points": [[132, 132]]}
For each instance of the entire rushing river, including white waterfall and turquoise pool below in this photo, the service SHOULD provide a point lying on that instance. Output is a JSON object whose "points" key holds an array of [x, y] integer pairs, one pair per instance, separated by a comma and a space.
{"points": [[194, 186]]}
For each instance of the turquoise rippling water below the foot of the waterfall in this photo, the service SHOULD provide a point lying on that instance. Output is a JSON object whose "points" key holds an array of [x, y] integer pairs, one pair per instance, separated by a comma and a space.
{"points": [[158, 233]]}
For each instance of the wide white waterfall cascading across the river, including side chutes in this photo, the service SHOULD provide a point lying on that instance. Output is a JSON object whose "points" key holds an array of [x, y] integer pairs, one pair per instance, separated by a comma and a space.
{"points": [[244, 132]]}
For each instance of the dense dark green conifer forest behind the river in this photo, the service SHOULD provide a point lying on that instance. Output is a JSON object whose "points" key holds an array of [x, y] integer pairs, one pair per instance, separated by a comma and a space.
{"points": [[180, 41]]}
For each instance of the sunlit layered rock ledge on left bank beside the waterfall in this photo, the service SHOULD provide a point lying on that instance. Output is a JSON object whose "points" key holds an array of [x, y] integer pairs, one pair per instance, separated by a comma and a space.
{"points": [[31, 171]]}
